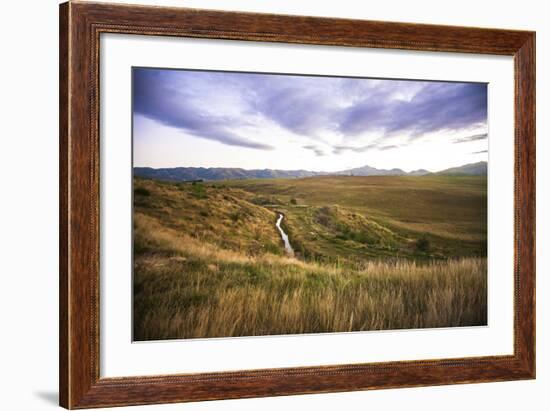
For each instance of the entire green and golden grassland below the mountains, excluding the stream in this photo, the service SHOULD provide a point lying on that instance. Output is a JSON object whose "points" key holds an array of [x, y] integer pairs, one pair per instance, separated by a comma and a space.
{"points": [[371, 253]]}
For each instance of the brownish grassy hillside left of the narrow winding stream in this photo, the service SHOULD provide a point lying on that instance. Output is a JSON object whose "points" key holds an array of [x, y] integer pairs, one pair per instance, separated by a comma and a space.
{"points": [[221, 217]]}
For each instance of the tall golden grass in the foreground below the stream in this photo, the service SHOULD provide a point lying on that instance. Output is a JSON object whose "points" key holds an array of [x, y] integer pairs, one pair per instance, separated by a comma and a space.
{"points": [[185, 288]]}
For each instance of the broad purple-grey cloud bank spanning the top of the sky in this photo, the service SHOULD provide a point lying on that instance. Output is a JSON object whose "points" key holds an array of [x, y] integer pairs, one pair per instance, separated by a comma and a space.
{"points": [[237, 108]]}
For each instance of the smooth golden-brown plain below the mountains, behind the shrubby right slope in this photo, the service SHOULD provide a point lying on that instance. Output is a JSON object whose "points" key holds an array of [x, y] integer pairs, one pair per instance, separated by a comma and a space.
{"points": [[453, 209]]}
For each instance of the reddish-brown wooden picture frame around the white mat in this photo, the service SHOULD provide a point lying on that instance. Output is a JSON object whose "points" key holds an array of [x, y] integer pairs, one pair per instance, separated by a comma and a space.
{"points": [[80, 27]]}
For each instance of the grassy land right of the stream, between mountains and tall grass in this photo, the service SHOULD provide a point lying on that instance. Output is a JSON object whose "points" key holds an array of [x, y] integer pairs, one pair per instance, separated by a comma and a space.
{"points": [[380, 216]]}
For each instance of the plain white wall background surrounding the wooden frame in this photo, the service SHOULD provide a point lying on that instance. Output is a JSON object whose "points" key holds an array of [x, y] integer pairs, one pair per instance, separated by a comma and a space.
{"points": [[29, 190]]}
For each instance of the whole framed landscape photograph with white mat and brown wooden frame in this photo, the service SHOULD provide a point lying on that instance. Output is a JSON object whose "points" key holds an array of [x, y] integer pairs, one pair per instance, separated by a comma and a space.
{"points": [[258, 205]]}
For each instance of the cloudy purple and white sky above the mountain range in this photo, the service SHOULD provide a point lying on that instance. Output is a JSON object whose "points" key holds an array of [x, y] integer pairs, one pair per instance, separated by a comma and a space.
{"points": [[184, 118]]}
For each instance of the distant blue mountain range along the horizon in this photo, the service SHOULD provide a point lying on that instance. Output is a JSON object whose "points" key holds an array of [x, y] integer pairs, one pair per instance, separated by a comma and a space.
{"points": [[223, 173]]}
